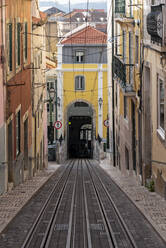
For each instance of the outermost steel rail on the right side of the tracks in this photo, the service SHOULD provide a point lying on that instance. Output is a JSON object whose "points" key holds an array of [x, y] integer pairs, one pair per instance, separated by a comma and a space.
{"points": [[125, 228]]}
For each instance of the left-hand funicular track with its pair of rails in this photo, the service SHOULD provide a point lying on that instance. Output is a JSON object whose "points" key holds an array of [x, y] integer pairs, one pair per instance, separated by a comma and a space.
{"points": [[41, 227]]}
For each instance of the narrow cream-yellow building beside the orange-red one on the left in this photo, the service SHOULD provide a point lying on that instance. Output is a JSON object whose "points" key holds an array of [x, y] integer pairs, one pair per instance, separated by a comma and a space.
{"points": [[39, 108]]}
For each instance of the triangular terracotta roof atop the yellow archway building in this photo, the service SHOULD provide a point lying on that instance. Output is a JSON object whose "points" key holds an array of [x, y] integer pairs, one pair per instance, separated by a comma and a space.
{"points": [[88, 35]]}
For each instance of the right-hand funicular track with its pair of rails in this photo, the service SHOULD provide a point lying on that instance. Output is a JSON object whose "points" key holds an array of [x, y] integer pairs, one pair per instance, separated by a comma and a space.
{"points": [[117, 232]]}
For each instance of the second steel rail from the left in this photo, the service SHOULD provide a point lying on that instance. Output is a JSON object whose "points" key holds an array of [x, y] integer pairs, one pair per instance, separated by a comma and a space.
{"points": [[48, 234]]}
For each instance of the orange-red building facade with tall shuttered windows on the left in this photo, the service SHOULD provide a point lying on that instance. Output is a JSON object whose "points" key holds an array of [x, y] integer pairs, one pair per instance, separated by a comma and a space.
{"points": [[18, 83]]}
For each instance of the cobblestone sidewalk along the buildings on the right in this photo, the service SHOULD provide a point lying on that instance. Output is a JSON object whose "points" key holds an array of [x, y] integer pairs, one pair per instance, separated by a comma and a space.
{"points": [[149, 203]]}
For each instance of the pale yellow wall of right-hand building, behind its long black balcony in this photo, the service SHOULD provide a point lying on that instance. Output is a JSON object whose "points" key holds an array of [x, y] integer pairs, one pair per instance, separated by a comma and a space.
{"points": [[128, 29]]}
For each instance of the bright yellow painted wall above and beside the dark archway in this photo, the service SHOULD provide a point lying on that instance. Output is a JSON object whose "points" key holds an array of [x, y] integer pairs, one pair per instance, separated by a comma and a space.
{"points": [[90, 94]]}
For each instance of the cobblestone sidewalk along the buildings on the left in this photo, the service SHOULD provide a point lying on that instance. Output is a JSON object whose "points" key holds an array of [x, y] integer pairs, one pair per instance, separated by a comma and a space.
{"points": [[11, 202]]}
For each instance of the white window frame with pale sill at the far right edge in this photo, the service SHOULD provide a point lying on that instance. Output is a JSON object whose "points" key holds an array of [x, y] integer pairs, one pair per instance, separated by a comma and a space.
{"points": [[161, 130]]}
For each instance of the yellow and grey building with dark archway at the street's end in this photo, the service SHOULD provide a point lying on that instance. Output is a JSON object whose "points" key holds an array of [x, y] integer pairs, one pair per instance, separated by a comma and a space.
{"points": [[82, 90]]}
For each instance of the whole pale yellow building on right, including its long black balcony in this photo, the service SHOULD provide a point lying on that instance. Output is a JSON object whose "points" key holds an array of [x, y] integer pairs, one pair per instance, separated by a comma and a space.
{"points": [[126, 40]]}
